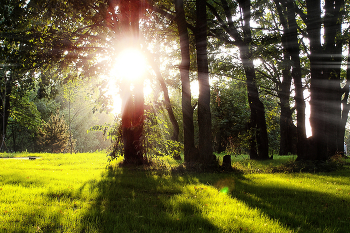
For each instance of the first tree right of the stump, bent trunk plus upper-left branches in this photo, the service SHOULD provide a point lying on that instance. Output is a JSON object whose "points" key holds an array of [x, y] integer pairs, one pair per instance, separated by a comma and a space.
{"points": [[244, 41]]}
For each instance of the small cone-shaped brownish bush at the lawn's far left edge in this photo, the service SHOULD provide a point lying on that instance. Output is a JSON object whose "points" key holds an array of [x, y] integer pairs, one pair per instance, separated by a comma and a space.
{"points": [[54, 136]]}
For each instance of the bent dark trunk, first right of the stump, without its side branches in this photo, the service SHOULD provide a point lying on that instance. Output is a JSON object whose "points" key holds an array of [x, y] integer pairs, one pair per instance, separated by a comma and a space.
{"points": [[259, 138]]}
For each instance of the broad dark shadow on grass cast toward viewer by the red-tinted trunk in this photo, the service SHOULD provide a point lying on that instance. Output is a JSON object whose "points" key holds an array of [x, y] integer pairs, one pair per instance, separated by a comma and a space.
{"points": [[130, 200]]}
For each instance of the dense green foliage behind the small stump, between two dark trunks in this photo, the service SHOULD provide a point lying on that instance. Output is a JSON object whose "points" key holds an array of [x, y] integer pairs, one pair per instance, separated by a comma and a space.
{"points": [[230, 116]]}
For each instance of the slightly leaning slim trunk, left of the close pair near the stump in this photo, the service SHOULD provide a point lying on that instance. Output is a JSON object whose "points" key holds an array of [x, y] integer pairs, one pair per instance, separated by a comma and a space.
{"points": [[190, 152]]}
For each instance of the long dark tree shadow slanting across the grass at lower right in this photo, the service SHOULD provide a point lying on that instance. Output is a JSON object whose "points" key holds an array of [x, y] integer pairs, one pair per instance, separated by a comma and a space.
{"points": [[296, 208]]}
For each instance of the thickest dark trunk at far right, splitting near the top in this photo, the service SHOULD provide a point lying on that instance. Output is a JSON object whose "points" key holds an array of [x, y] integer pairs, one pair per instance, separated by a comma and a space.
{"points": [[325, 63]]}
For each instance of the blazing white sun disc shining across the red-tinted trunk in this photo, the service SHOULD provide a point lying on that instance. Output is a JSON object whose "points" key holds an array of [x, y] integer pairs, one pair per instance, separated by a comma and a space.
{"points": [[130, 65]]}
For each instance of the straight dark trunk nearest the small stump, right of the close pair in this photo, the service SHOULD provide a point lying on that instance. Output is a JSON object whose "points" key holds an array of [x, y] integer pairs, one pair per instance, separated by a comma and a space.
{"points": [[204, 115]]}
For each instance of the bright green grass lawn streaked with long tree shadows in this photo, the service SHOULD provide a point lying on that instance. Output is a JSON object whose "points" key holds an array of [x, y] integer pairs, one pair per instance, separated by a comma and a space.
{"points": [[81, 193]]}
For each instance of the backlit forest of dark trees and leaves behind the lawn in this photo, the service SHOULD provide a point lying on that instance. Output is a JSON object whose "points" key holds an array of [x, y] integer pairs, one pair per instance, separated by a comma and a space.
{"points": [[237, 76]]}
